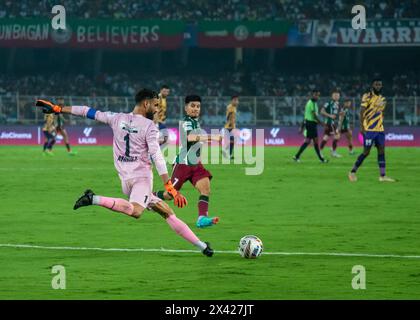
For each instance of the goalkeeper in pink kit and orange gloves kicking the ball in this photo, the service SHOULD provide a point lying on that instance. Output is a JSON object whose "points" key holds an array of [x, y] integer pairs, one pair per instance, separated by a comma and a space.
{"points": [[135, 144]]}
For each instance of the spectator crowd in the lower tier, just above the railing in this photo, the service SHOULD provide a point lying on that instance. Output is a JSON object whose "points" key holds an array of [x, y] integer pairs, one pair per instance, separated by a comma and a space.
{"points": [[226, 84]]}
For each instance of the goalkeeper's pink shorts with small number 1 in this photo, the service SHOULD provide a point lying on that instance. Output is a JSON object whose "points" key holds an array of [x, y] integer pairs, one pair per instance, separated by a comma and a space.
{"points": [[139, 190]]}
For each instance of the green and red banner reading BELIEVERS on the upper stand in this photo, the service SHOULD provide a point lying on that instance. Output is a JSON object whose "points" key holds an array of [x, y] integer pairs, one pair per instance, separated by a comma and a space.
{"points": [[92, 33]]}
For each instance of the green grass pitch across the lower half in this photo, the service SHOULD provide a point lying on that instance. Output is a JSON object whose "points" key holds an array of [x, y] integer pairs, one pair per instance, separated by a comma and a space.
{"points": [[296, 208]]}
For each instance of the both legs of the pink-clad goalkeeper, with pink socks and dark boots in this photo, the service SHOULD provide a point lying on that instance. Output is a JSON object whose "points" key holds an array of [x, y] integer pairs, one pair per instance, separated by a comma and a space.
{"points": [[135, 210]]}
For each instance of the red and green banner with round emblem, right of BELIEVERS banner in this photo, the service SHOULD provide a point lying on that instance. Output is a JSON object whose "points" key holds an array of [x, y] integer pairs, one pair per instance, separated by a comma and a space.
{"points": [[242, 34]]}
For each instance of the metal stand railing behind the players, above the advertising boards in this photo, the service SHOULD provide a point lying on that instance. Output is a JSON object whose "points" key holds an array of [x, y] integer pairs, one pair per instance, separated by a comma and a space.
{"points": [[252, 111]]}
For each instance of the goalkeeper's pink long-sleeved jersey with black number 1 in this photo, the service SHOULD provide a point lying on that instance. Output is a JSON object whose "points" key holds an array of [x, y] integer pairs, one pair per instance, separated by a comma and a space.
{"points": [[135, 142]]}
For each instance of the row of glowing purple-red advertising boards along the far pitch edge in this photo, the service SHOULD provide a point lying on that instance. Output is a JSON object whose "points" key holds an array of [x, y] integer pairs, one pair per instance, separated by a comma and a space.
{"points": [[272, 136]]}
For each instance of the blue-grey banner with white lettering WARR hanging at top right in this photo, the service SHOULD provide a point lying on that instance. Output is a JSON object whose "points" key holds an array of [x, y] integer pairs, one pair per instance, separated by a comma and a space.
{"points": [[339, 33]]}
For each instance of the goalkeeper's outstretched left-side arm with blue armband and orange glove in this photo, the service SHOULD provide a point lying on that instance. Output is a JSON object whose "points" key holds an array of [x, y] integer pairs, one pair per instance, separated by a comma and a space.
{"points": [[81, 111]]}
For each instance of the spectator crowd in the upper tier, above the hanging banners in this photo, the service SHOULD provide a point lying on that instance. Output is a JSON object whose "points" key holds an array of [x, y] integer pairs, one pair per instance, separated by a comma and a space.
{"points": [[193, 10]]}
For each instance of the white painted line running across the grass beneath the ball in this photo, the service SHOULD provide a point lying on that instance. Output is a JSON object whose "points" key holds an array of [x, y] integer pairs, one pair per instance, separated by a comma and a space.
{"points": [[335, 254]]}
